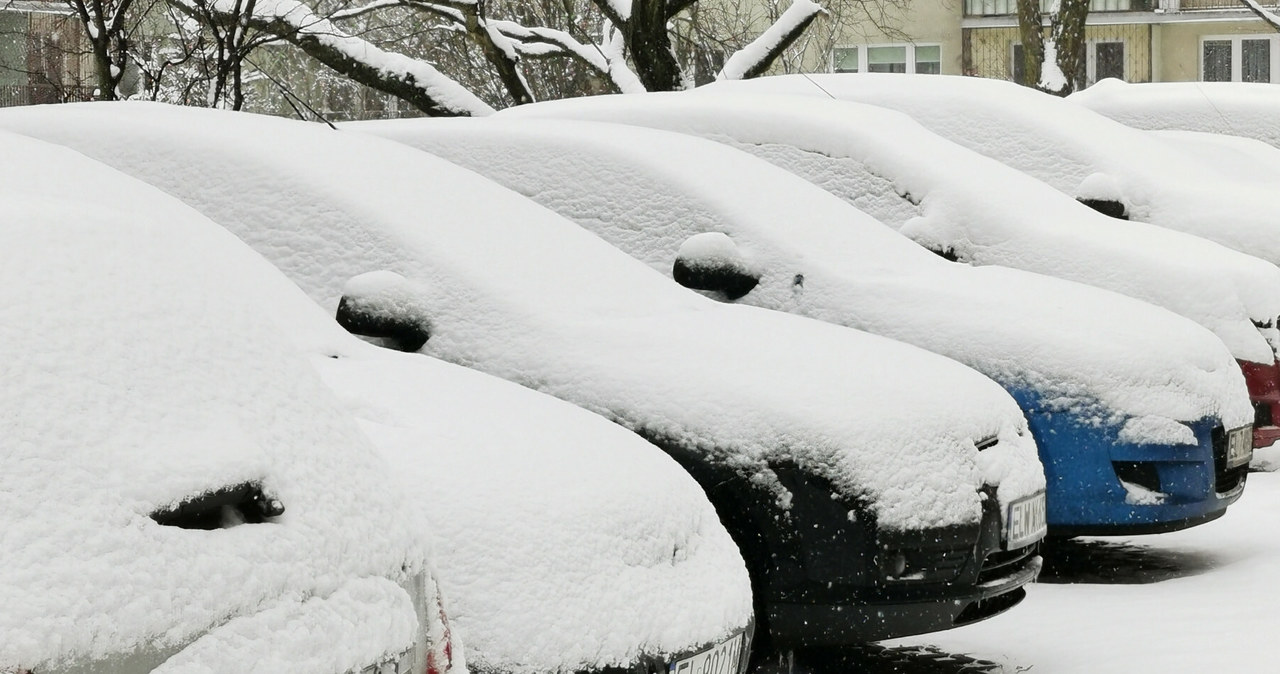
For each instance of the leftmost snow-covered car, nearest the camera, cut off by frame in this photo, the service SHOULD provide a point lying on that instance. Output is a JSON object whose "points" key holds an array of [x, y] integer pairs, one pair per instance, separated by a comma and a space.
{"points": [[180, 493]]}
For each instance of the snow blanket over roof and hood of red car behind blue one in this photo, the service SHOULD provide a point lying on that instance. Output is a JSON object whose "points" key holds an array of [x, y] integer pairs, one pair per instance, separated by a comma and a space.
{"points": [[984, 214]]}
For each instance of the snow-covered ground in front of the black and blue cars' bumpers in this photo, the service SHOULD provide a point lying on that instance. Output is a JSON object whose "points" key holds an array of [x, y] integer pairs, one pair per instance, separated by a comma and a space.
{"points": [[1199, 600]]}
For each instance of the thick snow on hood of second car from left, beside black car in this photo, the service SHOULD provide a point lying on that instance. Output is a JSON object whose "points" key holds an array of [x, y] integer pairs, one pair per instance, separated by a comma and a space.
{"points": [[565, 543]]}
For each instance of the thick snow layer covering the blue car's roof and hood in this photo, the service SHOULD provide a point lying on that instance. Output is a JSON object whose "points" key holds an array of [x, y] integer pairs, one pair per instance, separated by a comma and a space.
{"points": [[659, 195]]}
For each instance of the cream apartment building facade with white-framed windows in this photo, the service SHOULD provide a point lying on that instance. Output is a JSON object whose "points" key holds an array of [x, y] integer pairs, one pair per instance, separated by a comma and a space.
{"points": [[1132, 40]]}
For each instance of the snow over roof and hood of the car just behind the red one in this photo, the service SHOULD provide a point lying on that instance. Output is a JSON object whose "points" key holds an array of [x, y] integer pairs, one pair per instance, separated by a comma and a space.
{"points": [[1080, 153]]}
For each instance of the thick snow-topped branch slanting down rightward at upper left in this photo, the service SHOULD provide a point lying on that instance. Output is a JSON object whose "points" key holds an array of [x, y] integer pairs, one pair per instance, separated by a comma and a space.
{"points": [[414, 81]]}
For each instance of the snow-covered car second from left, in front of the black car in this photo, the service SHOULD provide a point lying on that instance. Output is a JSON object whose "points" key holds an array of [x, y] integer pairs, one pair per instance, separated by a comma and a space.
{"points": [[564, 542]]}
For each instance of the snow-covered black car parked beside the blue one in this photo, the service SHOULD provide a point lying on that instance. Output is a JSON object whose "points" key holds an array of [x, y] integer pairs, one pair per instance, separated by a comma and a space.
{"points": [[858, 517]]}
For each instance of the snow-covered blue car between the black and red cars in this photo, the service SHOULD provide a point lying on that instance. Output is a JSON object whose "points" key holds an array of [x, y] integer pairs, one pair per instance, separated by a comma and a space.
{"points": [[1127, 433]]}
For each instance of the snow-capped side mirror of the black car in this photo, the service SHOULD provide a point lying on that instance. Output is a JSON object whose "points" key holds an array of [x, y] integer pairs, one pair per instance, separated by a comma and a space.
{"points": [[385, 306]]}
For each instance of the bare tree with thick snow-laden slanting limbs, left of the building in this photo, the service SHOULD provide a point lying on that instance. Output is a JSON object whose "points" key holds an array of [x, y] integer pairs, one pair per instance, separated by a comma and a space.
{"points": [[627, 47]]}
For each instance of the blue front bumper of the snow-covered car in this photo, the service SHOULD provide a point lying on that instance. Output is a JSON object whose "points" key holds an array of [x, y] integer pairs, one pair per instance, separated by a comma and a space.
{"points": [[1085, 466]]}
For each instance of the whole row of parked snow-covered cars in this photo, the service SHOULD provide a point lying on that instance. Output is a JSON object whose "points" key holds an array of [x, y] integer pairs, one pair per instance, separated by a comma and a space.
{"points": [[204, 471]]}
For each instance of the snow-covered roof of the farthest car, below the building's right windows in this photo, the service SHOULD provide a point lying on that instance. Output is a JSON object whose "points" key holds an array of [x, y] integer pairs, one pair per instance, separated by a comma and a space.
{"points": [[1246, 109]]}
